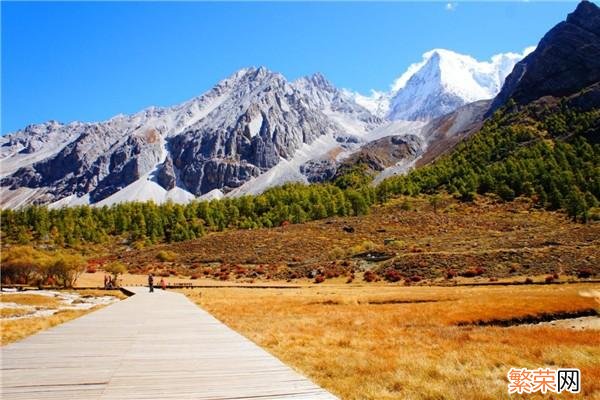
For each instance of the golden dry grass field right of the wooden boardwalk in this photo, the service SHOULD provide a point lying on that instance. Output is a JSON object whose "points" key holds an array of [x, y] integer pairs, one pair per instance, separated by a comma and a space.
{"points": [[382, 342]]}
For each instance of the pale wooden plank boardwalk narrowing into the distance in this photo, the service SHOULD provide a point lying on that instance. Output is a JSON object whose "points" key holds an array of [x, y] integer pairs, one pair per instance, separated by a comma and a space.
{"points": [[151, 346]]}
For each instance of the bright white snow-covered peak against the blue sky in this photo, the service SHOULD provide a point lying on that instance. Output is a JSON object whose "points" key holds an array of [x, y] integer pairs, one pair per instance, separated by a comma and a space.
{"points": [[442, 82]]}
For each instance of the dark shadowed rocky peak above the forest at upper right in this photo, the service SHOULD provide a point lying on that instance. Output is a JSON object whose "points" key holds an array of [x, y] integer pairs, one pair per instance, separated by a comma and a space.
{"points": [[566, 60]]}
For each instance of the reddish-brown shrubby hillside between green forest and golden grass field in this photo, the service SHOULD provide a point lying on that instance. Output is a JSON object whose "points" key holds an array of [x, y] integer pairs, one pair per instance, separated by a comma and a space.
{"points": [[503, 239]]}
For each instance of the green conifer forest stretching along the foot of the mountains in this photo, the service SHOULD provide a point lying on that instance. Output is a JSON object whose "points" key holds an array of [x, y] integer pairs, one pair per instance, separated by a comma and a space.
{"points": [[551, 156]]}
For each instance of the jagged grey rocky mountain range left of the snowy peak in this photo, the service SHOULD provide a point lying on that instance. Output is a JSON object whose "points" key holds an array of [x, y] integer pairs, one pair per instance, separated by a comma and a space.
{"points": [[240, 129]]}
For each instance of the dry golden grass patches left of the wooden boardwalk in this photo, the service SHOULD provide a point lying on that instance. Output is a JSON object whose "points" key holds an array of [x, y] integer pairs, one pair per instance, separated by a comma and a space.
{"points": [[14, 330]]}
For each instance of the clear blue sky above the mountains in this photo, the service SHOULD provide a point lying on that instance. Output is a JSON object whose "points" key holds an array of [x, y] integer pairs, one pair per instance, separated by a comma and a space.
{"points": [[90, 61]]}
